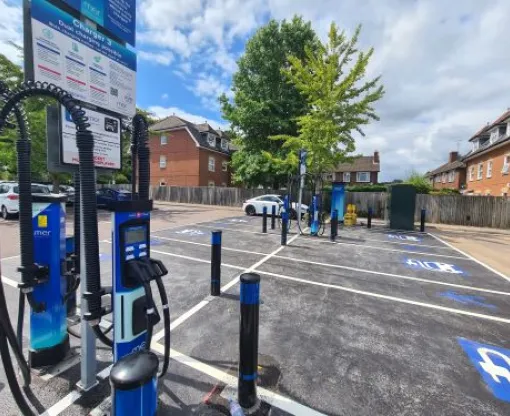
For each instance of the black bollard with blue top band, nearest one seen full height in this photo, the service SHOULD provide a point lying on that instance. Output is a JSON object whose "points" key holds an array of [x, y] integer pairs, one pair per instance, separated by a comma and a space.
{"points": [[249, 341]]}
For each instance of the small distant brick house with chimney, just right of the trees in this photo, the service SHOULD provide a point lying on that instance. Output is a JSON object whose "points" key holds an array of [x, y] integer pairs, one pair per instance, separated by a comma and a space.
{"points": [[363, 170]]}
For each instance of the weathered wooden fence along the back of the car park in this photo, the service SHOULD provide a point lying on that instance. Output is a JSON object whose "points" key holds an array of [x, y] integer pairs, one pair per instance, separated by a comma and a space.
{"points": [[479, 211]]}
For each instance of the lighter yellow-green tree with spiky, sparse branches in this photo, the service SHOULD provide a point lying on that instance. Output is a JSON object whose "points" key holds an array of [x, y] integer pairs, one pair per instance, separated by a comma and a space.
{"points": [[332, 80]]}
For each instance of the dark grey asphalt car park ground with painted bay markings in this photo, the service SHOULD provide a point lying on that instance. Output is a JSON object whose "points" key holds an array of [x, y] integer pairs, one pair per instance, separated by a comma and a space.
{"points": [[378, 323]]}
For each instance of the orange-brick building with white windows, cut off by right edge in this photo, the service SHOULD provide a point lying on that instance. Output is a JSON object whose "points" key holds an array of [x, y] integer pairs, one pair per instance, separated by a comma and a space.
{"points": [[488, 162]]}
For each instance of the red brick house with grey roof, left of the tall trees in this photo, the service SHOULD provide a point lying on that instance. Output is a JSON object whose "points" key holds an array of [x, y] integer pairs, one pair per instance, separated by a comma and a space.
{"points": [[187, 154]]}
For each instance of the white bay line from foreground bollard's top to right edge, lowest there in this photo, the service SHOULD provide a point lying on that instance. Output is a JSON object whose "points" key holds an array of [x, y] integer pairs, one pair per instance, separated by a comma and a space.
{"points": [[387, 297]]}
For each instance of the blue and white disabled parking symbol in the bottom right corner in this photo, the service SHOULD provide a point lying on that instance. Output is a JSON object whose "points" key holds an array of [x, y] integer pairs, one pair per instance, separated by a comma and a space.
{"points": [[493, 364]]}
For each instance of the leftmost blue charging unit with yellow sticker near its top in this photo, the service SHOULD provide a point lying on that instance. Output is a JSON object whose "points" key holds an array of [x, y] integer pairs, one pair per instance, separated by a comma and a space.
{"points": [[49, 342]]}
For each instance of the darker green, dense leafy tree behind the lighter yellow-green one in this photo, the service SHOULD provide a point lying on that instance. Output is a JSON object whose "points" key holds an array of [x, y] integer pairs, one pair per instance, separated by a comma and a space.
{"points": [[264, 104]]}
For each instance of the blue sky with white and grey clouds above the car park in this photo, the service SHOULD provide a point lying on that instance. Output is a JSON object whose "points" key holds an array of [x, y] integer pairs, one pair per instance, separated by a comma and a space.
{"points": [[445, 65]]}
